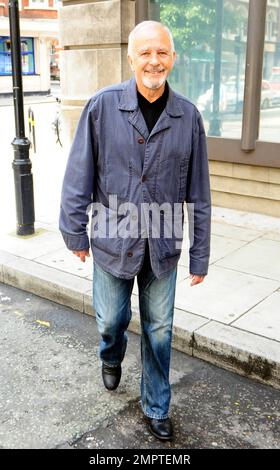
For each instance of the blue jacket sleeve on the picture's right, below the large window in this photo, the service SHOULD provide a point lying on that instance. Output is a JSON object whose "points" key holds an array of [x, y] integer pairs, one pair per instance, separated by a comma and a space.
{"points": [[198, 200]]}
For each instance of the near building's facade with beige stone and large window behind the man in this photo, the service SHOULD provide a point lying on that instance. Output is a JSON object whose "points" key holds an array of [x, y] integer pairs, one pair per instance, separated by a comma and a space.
{"points": [[228, 64]]}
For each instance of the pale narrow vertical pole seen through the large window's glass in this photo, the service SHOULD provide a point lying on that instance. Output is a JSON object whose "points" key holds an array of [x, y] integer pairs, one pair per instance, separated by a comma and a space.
{"points": [[215, 122]]}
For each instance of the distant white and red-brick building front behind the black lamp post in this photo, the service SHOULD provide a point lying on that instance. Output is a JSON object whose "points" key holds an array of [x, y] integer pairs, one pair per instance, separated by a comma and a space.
{"points": [[39, 45]]}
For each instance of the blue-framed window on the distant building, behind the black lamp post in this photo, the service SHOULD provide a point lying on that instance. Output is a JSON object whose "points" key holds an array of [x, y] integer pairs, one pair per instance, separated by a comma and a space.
{"points": [[27, 56]]}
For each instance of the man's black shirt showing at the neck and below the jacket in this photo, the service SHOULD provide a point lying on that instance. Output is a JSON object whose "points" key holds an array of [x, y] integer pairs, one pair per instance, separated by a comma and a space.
{"points": [[151, 113]]}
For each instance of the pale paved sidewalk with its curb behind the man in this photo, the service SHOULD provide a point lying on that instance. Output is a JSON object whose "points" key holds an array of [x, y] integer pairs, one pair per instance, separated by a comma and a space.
{"points": [[231, 319]]}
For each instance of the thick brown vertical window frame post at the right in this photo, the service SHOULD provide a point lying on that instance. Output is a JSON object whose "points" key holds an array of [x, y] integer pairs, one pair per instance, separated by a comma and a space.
{"points": [[253, 74]]}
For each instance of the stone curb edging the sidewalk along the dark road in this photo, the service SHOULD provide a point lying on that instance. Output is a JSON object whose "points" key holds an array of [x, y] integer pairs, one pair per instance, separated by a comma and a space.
{"points": [[225, 346]]}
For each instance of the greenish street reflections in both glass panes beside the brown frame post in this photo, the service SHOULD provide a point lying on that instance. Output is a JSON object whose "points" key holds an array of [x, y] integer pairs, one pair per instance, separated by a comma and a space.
{"points": [[215, 81]]}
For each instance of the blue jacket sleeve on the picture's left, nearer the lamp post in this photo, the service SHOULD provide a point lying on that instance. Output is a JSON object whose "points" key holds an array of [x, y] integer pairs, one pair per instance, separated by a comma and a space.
{"points": [[77, 187]]}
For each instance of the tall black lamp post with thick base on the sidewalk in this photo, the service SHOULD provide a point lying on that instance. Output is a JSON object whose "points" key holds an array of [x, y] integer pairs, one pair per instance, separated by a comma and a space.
{"points": [[21, 163]]}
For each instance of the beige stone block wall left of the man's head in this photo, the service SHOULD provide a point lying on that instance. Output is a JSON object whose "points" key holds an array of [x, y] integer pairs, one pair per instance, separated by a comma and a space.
{"points": [[93, 37]]}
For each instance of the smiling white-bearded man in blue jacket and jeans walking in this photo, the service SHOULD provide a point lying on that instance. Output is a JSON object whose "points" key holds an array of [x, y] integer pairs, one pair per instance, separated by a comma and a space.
{"points": [[144, 145]]}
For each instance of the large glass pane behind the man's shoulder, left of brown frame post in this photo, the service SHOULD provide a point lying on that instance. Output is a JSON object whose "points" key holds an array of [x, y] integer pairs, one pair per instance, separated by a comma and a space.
{"points": [[213, 80]]}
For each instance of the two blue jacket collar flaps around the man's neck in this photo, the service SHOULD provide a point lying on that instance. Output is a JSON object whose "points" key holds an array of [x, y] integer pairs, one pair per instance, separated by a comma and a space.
{"points": [[129, 101]]}
